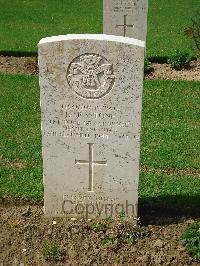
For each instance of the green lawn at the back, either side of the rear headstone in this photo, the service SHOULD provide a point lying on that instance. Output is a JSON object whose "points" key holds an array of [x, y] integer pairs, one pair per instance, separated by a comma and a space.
{"points": [[24, 23]]}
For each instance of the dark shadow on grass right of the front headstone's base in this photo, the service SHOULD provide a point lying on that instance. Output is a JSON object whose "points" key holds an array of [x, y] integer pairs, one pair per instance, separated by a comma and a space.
{"points": [[168, 209]]}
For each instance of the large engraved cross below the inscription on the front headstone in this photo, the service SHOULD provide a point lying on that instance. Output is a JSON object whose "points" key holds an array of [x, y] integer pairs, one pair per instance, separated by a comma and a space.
{"points": [[91, 164]]}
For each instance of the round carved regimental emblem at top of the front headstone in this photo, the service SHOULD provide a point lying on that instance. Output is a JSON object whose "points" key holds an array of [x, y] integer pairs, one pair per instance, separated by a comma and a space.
{"points": [[90, 76]]}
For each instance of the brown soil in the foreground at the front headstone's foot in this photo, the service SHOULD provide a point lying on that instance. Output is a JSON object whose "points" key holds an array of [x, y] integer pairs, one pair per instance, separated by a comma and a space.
{"points": [[24, 229]]}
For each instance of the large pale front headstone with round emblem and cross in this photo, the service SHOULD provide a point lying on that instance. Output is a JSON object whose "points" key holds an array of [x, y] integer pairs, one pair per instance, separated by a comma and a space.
{"points": [[91, 94]]}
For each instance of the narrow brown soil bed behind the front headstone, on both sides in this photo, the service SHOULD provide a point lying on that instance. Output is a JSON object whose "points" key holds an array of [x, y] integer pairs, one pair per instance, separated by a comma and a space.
{"points": [[29, 66]]}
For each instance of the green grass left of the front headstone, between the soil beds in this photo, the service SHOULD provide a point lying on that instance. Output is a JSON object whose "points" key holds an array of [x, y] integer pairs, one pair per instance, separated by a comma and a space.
{"points": [[21, 164]]}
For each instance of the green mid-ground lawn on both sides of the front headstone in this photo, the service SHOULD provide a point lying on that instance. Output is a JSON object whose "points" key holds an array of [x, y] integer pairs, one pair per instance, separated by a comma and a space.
{"points": [[170, 153]]}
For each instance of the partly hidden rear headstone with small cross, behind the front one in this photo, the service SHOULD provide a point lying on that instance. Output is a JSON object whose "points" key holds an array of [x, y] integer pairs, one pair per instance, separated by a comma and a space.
{"points": [[126, 18]]}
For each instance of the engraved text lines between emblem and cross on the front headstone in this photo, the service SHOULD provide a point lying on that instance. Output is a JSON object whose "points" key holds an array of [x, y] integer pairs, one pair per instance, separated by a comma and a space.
{"points": [[88, 121]]}
